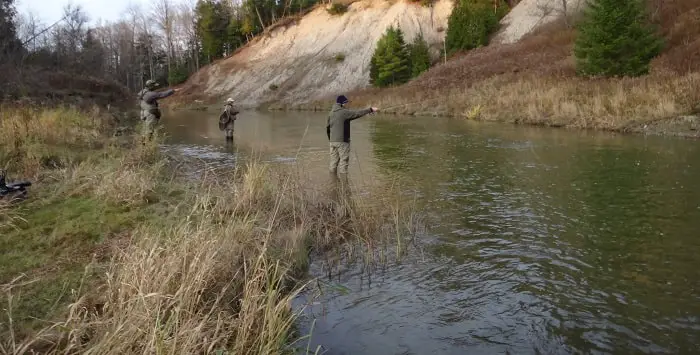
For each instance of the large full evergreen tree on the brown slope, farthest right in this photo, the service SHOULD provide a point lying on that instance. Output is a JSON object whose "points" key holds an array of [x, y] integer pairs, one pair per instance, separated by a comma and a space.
{"points": [[615, 39]]}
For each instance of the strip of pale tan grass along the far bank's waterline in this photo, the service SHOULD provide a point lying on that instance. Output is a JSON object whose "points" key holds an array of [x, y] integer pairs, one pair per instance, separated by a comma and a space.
{"points": [[656, 105]]}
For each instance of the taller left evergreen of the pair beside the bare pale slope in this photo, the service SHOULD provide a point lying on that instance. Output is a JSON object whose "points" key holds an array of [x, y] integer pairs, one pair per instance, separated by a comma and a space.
{"points": [[390, 64]]}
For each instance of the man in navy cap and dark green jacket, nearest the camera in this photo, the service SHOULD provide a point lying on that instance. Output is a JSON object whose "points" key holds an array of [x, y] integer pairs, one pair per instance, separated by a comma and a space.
{"points": [[338, 131]]}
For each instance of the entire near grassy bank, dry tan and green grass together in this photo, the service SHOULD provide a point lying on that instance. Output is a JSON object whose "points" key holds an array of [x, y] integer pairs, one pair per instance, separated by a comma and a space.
{"points": [[114, 252]]}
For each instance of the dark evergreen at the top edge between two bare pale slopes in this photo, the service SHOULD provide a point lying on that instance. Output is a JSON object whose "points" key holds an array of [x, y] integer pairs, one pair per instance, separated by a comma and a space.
{"points": [[471, 23]]}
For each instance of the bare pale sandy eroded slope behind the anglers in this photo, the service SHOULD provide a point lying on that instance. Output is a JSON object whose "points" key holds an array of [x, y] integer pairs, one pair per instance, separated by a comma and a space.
{"points": [[317, 55]]}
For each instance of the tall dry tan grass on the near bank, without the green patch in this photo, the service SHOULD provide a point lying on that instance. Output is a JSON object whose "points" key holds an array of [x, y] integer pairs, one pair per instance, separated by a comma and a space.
{"points": [[214, 266]]}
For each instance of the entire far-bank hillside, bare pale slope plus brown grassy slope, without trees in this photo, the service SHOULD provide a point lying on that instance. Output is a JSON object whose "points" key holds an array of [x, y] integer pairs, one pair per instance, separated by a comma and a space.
{"points": [[526, 75]]}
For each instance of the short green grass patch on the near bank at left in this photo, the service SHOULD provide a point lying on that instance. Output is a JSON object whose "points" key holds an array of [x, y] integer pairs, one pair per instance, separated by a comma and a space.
{"points": [[53, 243]]}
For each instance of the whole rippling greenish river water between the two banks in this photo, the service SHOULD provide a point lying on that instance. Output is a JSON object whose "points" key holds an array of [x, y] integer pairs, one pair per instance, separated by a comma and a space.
{"points": [[544, 241]]}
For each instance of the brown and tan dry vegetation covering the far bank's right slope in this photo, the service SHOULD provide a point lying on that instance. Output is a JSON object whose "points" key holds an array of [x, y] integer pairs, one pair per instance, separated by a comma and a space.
{"points": [[534, 81]]}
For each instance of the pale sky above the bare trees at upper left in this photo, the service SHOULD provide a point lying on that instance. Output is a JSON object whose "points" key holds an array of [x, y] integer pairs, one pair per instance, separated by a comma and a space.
{"points": [[50, 11]]}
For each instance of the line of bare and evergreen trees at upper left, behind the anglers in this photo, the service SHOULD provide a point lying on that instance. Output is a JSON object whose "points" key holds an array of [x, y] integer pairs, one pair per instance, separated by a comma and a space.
{"points": [[167, 40]]}
